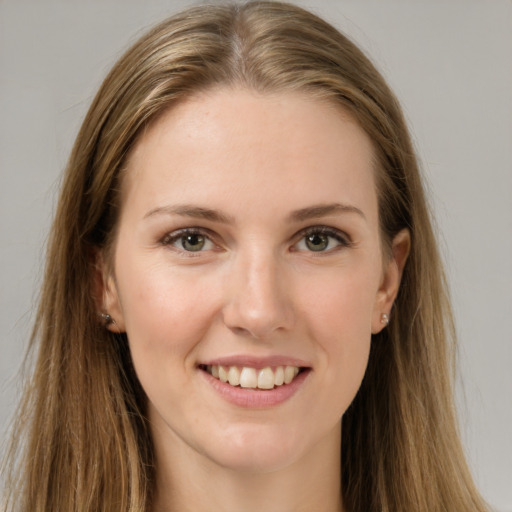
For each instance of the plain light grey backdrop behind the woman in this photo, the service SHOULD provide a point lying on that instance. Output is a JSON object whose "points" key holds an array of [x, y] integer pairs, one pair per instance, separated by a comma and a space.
{"points": [[450, 63]]}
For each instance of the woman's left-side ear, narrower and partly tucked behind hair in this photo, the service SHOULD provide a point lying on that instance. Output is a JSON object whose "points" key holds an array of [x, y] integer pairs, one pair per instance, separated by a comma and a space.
{"points": [[105, 294]]}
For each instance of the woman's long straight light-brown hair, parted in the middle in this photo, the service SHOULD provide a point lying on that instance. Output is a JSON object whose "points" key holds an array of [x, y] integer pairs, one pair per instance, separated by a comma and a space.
{"points": [[81, 431]]}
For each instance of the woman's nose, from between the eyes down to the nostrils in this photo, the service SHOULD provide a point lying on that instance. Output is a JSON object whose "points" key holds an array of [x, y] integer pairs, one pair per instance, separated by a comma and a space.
{"points": [[258, 296]]}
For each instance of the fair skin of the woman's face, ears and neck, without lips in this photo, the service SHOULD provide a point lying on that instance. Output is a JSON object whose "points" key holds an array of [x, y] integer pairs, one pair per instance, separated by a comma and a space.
{"points": [[256, 288]]}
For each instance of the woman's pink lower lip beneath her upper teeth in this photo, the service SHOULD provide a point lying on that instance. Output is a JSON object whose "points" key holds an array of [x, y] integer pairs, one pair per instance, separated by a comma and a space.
{"points": [[256, 398]]}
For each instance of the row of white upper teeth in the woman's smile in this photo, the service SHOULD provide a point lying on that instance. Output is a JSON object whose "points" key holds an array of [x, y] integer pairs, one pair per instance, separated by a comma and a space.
{"points": [[247, 377]]}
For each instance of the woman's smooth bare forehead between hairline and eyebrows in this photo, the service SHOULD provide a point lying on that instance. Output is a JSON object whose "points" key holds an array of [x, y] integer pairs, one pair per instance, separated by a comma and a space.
{"points": [[239, 144]]}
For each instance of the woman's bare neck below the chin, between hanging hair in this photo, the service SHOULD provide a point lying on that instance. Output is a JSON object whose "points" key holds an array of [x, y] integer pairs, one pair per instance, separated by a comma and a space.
{"points": [[189, 482]]}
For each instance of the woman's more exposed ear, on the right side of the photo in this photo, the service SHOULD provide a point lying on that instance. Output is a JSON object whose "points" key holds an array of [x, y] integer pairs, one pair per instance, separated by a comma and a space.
{"points": [[391, 277]]}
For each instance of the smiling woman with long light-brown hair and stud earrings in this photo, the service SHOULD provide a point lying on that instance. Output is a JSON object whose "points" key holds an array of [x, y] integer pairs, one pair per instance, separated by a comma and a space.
{"points": [[243, 284]]}
